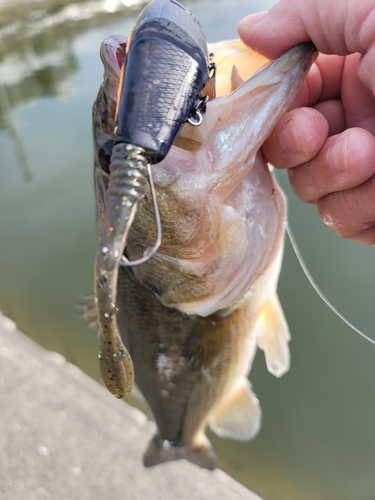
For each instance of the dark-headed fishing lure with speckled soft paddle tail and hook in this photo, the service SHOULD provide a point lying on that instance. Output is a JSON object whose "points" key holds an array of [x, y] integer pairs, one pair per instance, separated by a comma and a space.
{"points": [[166, 68]]}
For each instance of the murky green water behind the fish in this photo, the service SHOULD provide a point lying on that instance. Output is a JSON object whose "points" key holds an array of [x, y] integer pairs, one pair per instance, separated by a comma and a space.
{"points": [[317, 440]]}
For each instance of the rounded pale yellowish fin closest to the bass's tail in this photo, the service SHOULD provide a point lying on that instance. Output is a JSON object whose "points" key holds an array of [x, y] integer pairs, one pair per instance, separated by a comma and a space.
{"points": [[239, 417]]}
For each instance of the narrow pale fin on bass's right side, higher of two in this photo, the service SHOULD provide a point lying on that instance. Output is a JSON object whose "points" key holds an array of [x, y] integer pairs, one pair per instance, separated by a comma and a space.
{"points": [[273, 337]]}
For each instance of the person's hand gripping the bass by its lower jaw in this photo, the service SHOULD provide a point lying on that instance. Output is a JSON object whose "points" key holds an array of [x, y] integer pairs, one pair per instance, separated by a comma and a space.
{"points": [[328, 147]]}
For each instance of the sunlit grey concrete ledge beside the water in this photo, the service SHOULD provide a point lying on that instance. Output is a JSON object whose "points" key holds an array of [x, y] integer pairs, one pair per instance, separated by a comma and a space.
{"points": [[63, 436]]}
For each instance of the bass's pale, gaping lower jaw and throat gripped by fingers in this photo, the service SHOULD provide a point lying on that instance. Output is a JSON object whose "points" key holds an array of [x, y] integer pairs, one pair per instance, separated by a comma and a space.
{"points": [[223, 214]]}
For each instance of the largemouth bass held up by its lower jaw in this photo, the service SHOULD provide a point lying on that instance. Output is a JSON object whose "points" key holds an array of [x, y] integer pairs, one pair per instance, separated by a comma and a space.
{"points": [[192, 316]]}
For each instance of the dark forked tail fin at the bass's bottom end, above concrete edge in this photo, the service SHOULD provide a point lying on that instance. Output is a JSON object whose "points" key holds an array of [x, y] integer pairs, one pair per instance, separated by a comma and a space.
{"points": [[160, 451]]}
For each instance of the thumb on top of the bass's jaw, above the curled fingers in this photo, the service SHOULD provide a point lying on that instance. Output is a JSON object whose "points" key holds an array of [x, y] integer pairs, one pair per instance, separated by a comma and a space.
{"points": [[334, 26]]}
